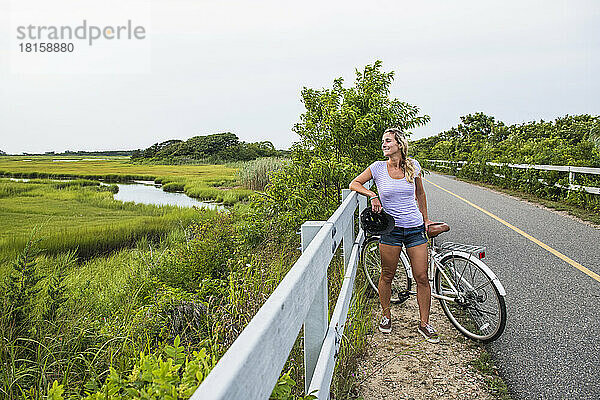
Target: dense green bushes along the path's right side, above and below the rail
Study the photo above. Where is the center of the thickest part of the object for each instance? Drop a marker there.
(480, 139)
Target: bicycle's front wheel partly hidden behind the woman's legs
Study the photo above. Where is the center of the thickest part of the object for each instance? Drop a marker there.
(371, 260)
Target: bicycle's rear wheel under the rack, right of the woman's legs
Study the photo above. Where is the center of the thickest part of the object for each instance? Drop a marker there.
(471, 300)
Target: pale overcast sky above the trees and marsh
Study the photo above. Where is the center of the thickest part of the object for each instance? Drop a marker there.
(214, 66)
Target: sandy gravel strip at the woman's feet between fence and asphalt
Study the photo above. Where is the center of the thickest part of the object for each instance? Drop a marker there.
(402, 365)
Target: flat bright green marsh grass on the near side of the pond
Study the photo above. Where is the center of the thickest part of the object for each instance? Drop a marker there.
(83, 218)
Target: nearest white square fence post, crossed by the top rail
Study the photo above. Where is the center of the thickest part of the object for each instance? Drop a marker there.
(317, 319)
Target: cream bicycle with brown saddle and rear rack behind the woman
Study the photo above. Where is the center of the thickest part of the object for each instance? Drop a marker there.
(469, 292)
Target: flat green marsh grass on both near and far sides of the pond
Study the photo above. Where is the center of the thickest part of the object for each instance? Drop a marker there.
(81, 215)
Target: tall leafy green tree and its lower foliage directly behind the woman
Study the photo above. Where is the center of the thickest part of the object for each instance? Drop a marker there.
(340, 134)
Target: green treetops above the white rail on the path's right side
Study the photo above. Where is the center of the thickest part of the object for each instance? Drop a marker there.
(568, 140)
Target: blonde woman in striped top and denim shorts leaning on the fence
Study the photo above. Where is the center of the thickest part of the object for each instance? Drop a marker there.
(401, 194)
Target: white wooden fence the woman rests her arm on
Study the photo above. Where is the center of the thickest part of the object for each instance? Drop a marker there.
(252, 365)
